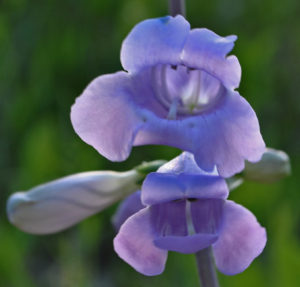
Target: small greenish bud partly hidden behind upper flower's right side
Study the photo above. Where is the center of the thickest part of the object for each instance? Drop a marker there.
(274, 165)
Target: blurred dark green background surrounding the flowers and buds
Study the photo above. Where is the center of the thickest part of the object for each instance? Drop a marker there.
(50, 50)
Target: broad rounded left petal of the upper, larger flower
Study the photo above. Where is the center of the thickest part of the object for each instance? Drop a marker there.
(104, 117)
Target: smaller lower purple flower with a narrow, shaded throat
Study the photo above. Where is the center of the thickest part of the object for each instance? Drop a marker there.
(186, 211)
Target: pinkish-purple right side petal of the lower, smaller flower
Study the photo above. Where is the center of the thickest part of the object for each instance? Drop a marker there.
(241, 240)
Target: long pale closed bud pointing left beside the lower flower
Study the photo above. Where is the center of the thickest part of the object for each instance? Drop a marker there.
(59, 204)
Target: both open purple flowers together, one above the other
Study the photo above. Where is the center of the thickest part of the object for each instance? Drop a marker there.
(178, 90)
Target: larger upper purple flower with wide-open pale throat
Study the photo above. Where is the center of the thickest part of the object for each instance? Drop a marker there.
(178, 91)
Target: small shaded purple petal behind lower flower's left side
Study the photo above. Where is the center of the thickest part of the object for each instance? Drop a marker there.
(128, 207)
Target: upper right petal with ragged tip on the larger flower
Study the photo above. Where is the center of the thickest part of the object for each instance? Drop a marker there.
(207, 51)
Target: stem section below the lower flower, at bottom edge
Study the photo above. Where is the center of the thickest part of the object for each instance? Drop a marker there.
(206, 269)
